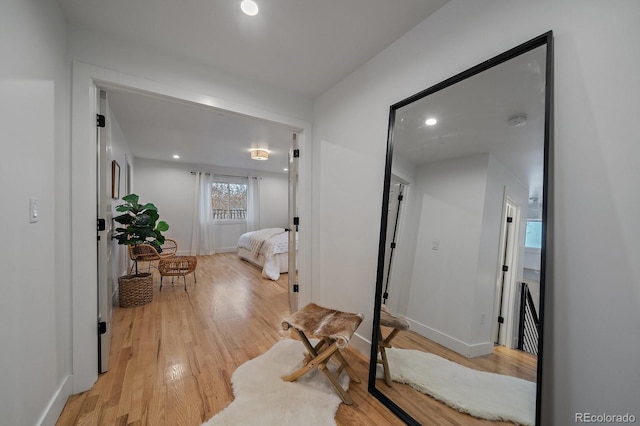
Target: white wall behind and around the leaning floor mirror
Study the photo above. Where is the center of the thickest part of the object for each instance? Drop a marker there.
(593, 291)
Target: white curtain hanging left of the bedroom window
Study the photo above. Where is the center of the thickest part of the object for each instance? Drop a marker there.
(202, 230)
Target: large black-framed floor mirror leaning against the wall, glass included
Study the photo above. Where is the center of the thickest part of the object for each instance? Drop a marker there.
(457, 332)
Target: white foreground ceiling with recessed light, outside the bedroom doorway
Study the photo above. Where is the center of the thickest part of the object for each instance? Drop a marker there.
(302, 46)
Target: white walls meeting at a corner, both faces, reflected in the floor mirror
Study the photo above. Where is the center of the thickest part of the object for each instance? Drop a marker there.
(457, 203)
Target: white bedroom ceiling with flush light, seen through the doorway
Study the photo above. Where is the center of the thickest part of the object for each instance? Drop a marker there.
(157, 128)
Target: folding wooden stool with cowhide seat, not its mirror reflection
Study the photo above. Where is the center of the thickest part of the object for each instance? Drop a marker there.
(334, 329)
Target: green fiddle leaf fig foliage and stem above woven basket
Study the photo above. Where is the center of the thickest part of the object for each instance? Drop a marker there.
(140, 224)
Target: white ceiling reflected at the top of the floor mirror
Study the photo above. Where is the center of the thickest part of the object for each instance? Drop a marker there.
(473, 118)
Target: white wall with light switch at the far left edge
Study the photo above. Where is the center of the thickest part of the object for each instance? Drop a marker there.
(35, 319)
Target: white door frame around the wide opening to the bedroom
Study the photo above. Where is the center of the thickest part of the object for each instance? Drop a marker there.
(85, 81)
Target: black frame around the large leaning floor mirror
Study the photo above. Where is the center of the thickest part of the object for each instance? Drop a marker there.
(544, 39)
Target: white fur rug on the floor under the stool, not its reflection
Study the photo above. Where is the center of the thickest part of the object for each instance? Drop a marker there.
(263, 398)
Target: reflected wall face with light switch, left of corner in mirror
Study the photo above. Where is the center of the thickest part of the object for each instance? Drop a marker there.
(449, 197)
